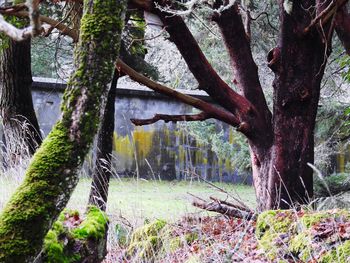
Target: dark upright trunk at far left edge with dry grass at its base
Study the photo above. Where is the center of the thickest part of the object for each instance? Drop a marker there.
(21, 128)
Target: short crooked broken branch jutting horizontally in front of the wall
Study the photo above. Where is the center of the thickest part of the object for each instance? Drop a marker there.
(173, 118)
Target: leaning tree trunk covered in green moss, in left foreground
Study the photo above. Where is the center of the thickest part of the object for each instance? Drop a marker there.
(51, 176)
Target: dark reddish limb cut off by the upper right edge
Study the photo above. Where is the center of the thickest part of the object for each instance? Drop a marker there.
(342, 27)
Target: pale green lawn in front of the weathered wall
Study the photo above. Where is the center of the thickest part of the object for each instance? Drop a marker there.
(137, 200)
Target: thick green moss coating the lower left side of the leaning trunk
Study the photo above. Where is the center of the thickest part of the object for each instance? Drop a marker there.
(36, 197)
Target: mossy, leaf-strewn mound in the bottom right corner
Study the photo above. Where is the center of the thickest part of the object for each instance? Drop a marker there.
(305, 236)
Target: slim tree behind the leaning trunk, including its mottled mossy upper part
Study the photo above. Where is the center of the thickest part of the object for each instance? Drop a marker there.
(133, 51)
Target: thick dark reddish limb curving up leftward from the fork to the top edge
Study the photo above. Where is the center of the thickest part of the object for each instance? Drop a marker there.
(208, 79)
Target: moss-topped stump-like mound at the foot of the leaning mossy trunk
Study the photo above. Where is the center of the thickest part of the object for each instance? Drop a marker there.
(72, 239)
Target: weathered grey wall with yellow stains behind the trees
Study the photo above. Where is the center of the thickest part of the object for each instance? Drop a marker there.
(153, 151)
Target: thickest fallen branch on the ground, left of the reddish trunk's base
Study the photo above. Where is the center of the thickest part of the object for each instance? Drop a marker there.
(224, 209)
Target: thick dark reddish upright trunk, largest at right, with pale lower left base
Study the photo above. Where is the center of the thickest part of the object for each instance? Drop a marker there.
(283, 178)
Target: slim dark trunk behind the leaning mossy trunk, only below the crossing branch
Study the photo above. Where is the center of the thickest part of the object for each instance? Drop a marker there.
(102, 169)
